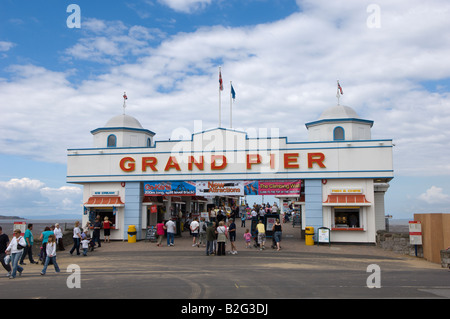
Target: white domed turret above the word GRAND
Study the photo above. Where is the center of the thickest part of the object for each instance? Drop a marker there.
(122, 131)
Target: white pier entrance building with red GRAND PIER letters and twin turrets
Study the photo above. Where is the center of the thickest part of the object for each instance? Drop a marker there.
(344, 173)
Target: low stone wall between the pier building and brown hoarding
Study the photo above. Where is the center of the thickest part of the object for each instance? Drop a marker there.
(398, 243)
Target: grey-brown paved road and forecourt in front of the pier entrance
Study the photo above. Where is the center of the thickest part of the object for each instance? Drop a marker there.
(142, 270)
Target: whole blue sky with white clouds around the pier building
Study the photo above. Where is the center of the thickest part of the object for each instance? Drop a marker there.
(59, 83)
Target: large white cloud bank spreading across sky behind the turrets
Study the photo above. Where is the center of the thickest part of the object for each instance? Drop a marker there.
(284, 71)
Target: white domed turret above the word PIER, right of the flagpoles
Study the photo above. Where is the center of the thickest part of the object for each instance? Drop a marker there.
(339, 123)
